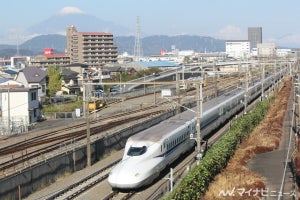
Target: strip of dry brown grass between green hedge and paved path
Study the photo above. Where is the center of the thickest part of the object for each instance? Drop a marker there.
(266, 137)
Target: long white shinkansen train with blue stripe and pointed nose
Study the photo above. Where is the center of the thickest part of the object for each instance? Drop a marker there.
(150, 151)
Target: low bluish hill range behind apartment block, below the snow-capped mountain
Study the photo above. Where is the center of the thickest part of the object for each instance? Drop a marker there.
(150, 45)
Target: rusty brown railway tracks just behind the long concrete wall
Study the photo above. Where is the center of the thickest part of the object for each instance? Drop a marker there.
(17, 156)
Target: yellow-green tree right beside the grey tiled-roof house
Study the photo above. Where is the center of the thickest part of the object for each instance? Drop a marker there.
(54, 80)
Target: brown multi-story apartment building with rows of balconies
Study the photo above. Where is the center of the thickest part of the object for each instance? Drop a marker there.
(91, 48)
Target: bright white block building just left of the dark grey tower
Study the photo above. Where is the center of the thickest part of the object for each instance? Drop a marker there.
(238, 49)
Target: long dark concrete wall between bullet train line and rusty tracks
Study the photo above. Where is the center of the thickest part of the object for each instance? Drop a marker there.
(43, 174)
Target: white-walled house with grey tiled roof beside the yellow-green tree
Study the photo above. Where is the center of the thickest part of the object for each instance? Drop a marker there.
(33, 77)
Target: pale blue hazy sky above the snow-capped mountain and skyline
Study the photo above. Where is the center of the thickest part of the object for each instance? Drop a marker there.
(223, 19)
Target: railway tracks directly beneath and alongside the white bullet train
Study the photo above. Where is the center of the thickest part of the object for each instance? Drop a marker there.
(155, 191)
